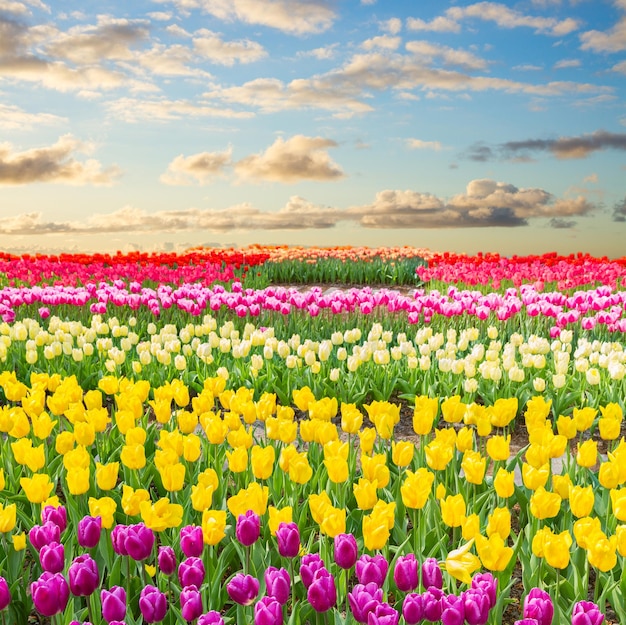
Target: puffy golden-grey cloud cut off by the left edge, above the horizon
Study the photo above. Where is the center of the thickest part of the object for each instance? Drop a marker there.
(53, 164)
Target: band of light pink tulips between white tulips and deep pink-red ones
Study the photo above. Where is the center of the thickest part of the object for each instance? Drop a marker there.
(600, 305)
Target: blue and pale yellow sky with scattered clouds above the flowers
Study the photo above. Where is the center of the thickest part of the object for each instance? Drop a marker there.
(456, 126)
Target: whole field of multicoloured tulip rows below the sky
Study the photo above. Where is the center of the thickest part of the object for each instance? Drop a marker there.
(334, 436)
